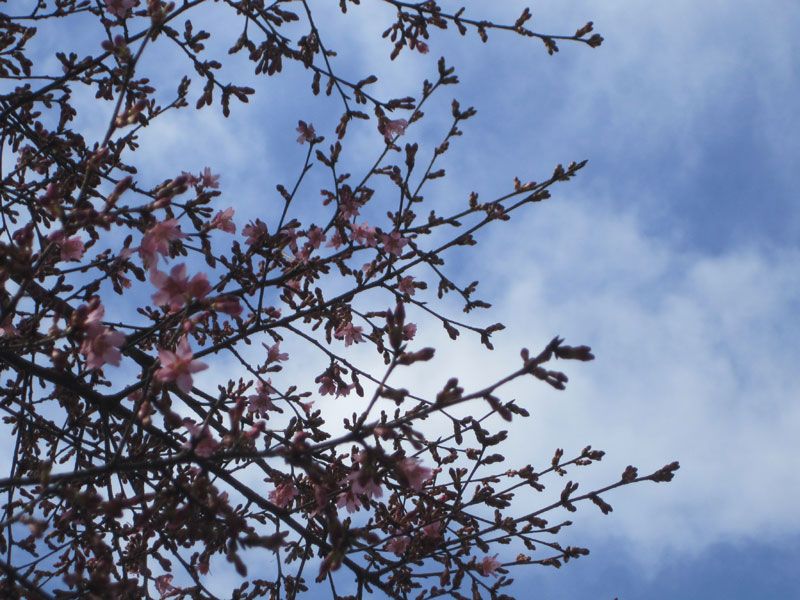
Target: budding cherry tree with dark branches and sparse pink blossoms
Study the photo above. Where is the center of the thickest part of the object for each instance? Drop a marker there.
(151, 449)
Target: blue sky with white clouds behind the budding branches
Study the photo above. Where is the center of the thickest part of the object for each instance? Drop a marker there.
(674, 255)
